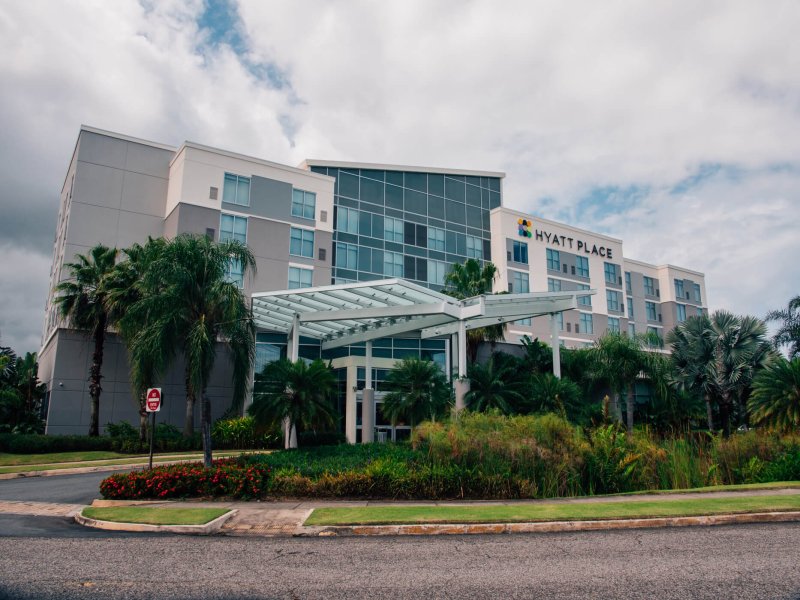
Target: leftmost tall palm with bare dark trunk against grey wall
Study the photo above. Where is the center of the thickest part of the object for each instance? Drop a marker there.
(83, 303)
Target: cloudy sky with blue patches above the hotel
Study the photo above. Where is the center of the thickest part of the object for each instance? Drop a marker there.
(674, 125)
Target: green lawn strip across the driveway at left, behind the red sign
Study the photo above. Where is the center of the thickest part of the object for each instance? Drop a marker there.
(19, 463)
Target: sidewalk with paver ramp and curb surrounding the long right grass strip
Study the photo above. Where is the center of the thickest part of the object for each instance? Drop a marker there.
(286, 518)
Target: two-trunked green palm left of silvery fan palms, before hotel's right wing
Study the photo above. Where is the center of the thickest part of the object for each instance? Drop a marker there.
(620, 359)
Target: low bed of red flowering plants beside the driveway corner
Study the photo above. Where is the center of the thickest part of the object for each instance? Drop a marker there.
(226, 478)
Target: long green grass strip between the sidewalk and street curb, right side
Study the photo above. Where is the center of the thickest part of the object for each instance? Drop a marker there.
(525, 513)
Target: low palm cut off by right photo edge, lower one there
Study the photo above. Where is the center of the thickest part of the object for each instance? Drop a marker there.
(775, 399)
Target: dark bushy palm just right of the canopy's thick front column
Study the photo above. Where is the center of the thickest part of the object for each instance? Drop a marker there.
(496, 385)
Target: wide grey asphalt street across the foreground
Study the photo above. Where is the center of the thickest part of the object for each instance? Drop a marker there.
(742, 562)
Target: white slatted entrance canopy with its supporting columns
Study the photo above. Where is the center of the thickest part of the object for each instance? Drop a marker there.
(353, 313)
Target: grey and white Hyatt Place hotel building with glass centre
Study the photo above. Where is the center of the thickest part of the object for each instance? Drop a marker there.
(321, 223)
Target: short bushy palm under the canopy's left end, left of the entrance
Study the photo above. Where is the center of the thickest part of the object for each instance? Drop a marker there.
(295, 391)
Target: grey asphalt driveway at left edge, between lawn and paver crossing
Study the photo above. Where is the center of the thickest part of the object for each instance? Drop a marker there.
(66, 489)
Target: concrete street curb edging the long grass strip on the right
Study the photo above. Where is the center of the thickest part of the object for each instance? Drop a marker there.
(546, 527)
